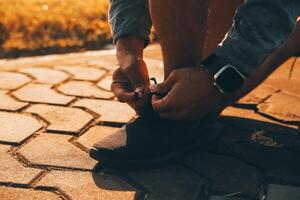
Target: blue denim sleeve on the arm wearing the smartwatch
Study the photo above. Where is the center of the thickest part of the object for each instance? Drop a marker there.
(260, 27)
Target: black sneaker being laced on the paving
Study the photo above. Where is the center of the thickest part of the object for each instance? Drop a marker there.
(150, 141)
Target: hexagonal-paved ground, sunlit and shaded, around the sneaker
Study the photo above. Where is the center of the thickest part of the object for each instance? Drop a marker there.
(54, 107)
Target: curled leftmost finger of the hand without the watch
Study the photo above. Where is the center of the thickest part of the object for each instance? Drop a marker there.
(122, 93)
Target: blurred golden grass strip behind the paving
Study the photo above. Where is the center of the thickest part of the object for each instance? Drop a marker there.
(30, 27)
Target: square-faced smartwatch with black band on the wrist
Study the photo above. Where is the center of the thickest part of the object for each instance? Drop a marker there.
(227, 78)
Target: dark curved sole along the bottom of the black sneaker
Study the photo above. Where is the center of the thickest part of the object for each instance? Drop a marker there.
(202, 144)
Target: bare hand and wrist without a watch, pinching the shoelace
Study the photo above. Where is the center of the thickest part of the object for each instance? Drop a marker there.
(131, 77)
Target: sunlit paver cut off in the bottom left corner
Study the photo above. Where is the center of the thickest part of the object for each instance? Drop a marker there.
(12, 193)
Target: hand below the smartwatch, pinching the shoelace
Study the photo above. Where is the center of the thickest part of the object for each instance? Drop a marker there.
(190, 95)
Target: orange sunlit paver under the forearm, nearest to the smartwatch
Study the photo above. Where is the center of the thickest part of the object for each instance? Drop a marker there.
(258, 95)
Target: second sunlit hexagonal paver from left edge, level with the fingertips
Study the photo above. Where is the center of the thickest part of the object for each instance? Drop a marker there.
(40, 93)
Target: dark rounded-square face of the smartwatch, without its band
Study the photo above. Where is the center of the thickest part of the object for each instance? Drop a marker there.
(229, 80)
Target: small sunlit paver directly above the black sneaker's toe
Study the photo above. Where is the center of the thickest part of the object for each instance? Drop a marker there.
(95, 134)
